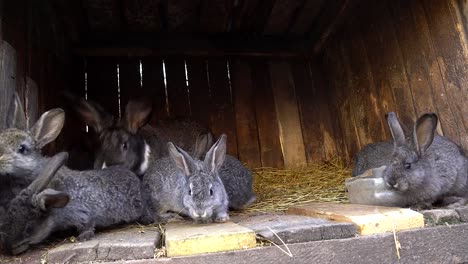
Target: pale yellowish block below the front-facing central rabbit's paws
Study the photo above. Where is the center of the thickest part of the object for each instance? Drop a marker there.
(189, 238)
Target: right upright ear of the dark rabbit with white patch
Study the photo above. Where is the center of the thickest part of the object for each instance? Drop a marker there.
(136, 114)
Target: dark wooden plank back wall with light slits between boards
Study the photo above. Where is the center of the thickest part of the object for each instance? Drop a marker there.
(274, 112)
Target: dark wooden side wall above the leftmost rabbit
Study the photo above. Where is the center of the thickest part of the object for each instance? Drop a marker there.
(34, 62)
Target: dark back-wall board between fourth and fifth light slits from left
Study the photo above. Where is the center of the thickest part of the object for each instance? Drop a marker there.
(177, 90)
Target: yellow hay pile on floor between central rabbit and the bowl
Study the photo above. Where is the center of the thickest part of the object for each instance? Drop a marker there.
(277, 189)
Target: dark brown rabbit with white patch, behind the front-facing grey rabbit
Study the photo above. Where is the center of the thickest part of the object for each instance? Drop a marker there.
(129, 141)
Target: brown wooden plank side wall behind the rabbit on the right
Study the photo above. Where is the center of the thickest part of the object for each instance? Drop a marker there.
(409, 57)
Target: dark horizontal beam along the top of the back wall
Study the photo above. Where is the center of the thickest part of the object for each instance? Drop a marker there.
(196, 46)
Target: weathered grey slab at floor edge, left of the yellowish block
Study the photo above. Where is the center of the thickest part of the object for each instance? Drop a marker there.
(134, 243)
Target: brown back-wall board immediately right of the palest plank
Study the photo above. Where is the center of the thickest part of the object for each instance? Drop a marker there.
(310, 111)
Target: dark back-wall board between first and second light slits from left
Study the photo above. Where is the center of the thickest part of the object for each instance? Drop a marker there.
(102, 83)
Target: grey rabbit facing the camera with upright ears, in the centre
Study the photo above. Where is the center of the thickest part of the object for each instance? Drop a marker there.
(187, 186)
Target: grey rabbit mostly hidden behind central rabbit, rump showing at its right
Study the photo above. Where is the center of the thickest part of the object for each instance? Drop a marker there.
(236, 178)
